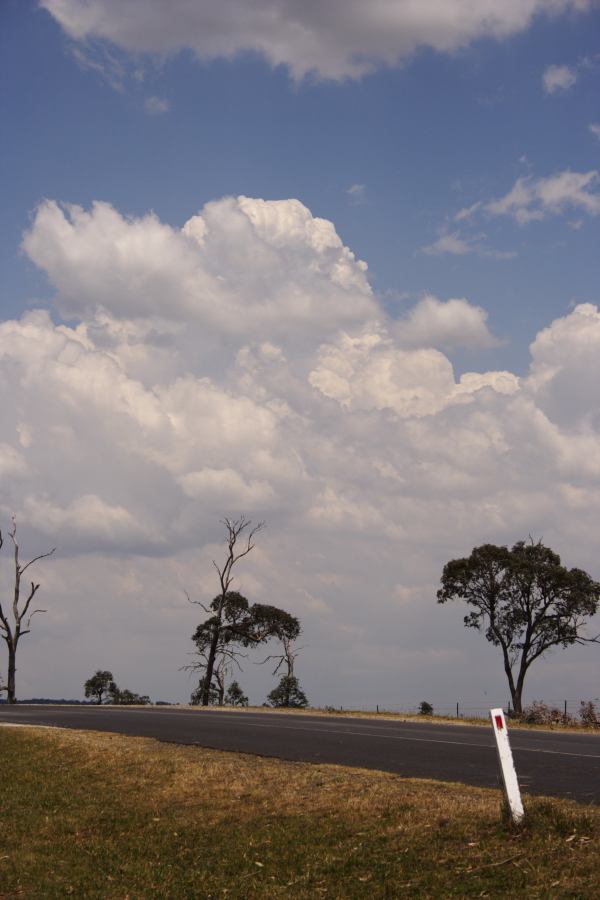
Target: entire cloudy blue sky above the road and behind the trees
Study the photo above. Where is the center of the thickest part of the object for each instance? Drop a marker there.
(333, 266)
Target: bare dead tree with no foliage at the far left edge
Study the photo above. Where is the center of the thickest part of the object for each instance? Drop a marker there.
(17, 623)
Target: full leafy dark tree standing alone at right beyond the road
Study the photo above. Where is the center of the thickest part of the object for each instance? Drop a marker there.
(524, 600)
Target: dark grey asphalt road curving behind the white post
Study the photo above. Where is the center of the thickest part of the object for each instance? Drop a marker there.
(565, 765)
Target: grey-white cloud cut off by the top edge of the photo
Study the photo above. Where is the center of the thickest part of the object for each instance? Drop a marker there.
(333, 39)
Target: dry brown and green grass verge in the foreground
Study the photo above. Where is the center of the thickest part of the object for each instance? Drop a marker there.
(96, 815)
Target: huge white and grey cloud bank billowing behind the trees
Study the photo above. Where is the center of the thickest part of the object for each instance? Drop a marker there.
(241, 363)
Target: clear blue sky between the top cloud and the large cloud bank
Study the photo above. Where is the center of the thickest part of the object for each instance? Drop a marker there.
(426, 138)
